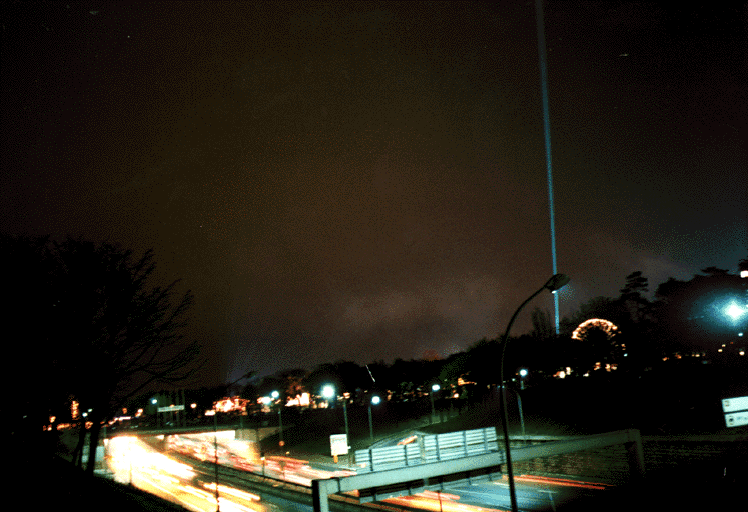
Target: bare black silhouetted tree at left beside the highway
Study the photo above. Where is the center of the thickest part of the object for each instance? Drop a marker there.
(107, 332)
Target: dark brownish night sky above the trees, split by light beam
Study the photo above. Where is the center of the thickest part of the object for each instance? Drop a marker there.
(367, 181)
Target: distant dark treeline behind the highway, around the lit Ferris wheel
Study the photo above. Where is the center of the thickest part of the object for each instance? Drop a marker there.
(631, 333)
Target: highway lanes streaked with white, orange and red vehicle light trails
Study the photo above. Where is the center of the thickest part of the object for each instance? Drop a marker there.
(186, 477)
